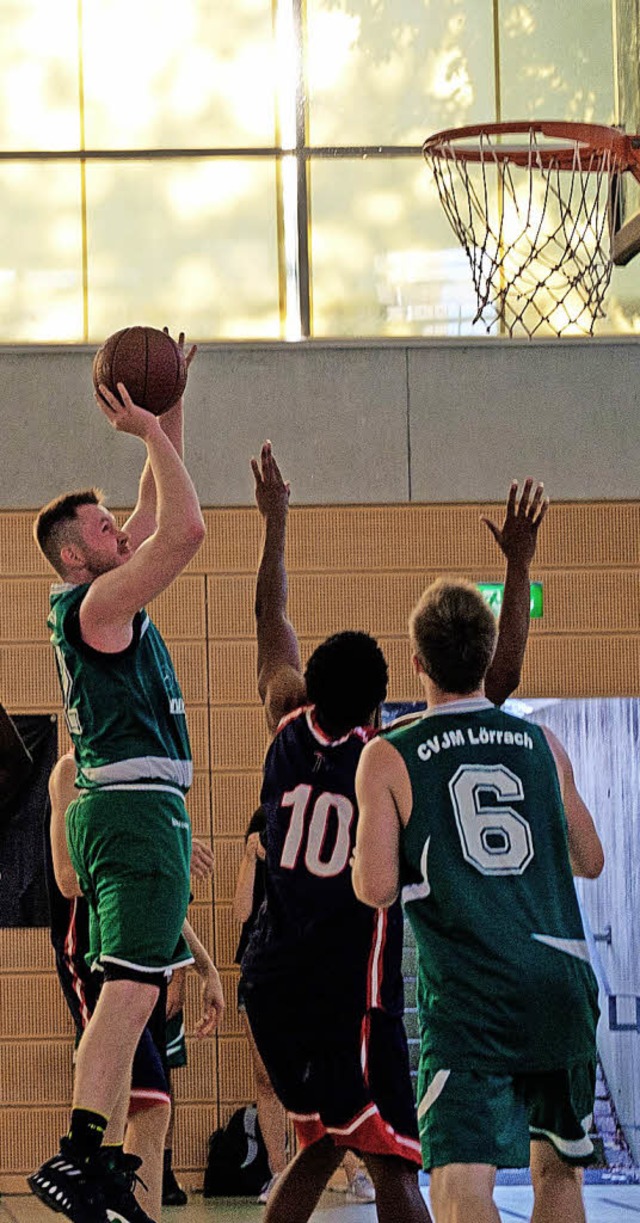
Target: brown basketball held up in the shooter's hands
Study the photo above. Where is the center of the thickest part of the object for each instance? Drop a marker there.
(149, 363)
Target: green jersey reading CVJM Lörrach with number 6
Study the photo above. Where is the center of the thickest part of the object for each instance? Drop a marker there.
(505, 981)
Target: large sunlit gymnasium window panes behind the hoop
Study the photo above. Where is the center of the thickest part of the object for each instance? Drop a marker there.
(253, 171)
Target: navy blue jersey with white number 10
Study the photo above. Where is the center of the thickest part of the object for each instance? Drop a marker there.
(311, 926)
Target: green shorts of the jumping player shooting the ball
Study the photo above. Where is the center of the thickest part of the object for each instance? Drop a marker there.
(132, 852)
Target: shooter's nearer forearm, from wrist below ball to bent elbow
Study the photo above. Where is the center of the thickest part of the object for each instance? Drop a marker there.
(178, 508)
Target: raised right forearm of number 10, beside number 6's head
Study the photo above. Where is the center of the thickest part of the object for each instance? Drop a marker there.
(505, 673)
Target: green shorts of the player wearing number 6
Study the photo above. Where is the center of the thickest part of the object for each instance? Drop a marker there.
(480, 1118)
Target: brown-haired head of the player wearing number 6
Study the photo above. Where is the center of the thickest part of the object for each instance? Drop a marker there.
(453, 635)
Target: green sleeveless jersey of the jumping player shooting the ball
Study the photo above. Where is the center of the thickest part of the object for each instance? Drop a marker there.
(125, 712)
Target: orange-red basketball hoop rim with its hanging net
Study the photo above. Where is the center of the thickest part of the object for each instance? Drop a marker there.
(535, 207)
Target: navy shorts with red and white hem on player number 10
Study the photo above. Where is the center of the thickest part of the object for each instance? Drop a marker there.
(337, 1072)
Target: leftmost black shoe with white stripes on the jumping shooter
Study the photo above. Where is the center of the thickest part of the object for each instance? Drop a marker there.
(72, 1188)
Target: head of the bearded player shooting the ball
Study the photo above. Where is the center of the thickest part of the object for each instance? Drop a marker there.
(80, 536)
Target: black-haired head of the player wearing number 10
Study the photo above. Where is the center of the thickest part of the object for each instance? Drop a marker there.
(347, 682)
